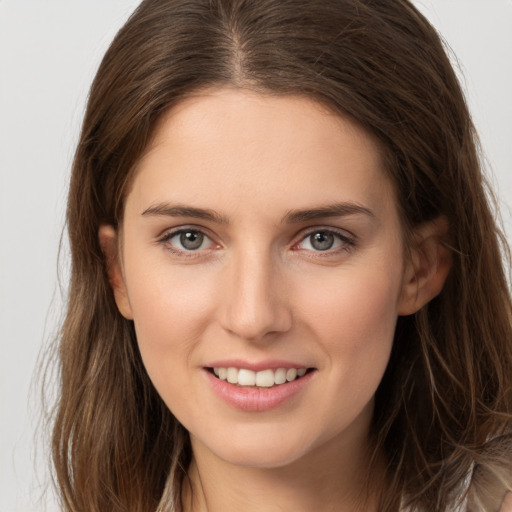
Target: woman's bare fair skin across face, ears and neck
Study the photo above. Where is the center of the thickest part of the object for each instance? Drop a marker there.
(258, 289)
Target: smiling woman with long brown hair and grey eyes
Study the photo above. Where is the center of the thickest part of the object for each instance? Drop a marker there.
(287, 290)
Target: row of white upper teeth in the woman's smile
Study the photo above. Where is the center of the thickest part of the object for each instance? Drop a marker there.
(262, 379)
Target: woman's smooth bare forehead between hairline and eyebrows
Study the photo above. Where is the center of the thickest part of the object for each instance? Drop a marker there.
(239, 149)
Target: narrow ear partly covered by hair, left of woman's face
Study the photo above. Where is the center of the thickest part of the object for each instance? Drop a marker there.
(109, 243)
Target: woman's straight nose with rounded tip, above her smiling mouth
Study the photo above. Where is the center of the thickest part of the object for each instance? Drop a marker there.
(255, 303)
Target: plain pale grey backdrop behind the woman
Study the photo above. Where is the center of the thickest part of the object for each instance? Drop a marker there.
(49, 51)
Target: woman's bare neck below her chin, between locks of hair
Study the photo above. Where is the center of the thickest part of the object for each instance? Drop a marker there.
(324, 480)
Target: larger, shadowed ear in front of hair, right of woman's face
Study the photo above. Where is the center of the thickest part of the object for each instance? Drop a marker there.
(427, 268)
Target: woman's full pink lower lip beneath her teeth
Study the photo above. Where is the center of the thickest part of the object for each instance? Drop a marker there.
(251, 399)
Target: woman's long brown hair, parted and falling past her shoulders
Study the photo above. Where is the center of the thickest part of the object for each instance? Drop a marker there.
(448, 386)
